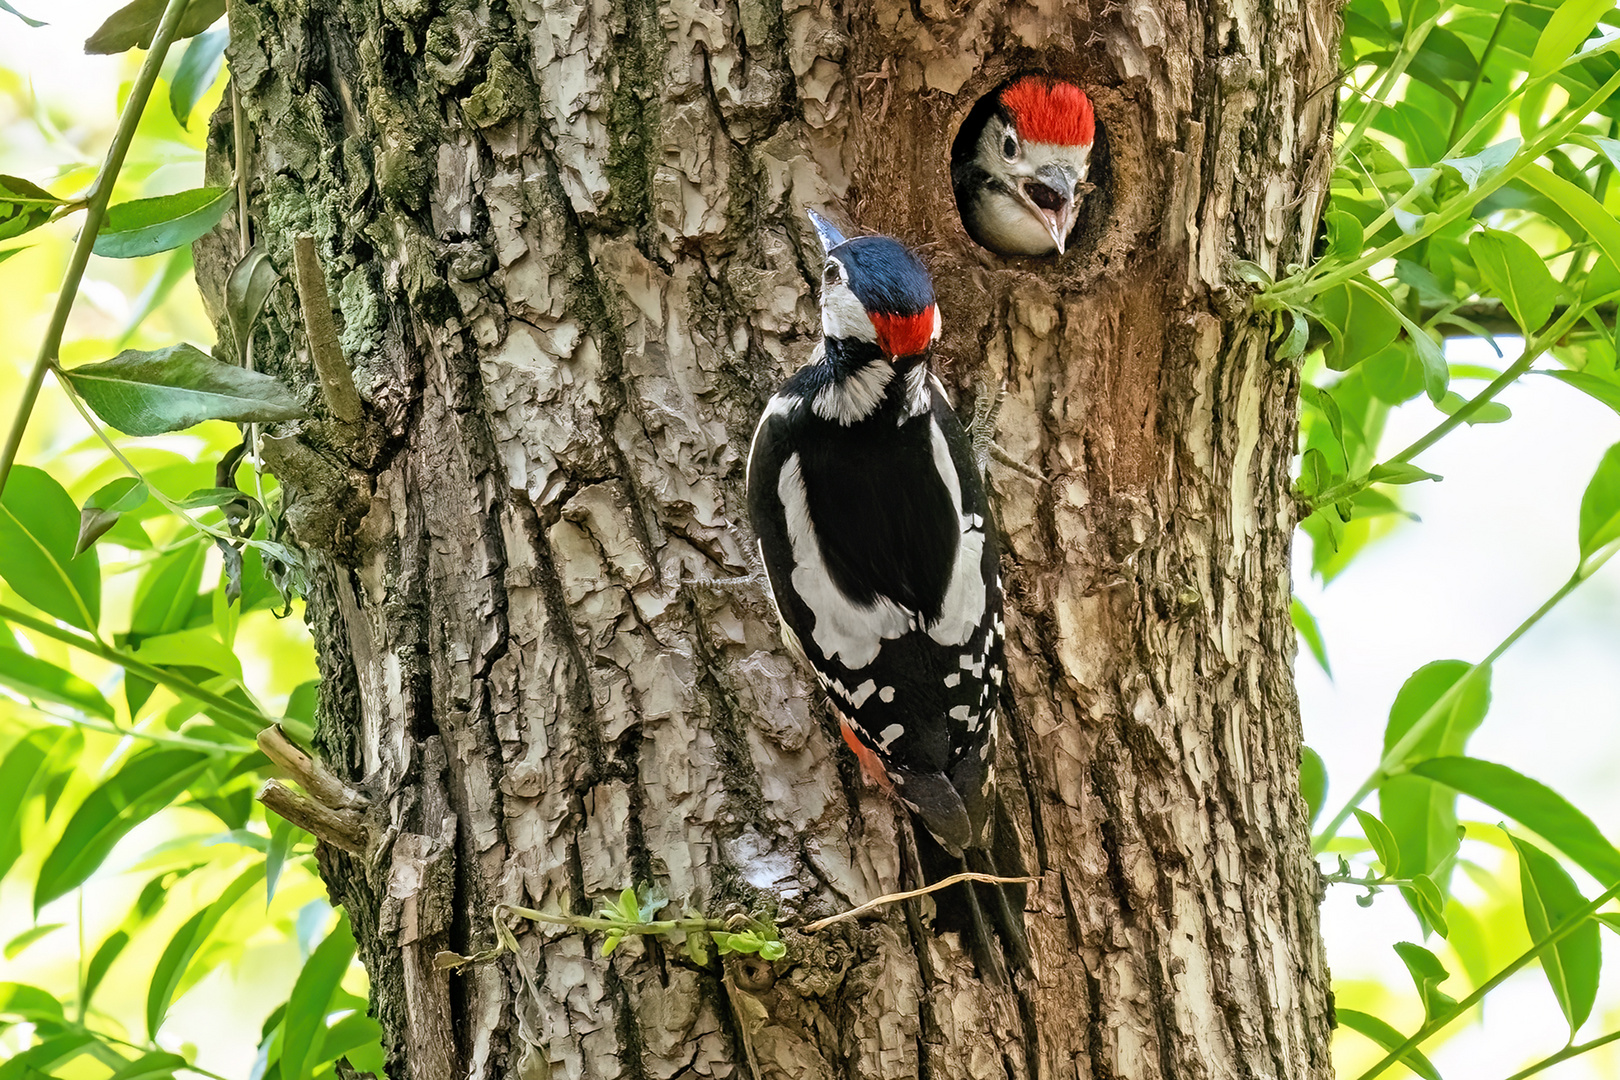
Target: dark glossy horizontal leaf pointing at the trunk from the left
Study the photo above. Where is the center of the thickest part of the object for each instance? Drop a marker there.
(148, 394)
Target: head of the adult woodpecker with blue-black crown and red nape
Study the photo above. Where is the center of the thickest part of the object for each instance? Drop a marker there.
(876, 291)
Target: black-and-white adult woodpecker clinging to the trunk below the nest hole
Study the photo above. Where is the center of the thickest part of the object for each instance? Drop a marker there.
(879, 545)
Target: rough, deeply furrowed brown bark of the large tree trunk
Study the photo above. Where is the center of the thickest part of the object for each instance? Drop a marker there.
(569, 257)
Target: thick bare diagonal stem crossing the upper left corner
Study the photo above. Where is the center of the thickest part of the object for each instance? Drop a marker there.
(95, 216)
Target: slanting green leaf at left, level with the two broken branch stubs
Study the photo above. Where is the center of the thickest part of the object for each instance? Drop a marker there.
(147, 783)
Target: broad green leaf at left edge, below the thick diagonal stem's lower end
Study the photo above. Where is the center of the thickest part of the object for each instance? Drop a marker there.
(38, 535)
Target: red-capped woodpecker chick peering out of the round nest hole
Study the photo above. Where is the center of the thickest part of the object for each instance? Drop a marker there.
(1020, 166)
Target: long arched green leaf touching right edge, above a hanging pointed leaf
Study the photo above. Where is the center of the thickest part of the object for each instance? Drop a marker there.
(1533, 806)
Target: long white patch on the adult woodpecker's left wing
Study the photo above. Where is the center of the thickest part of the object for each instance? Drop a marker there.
(843, 629)
